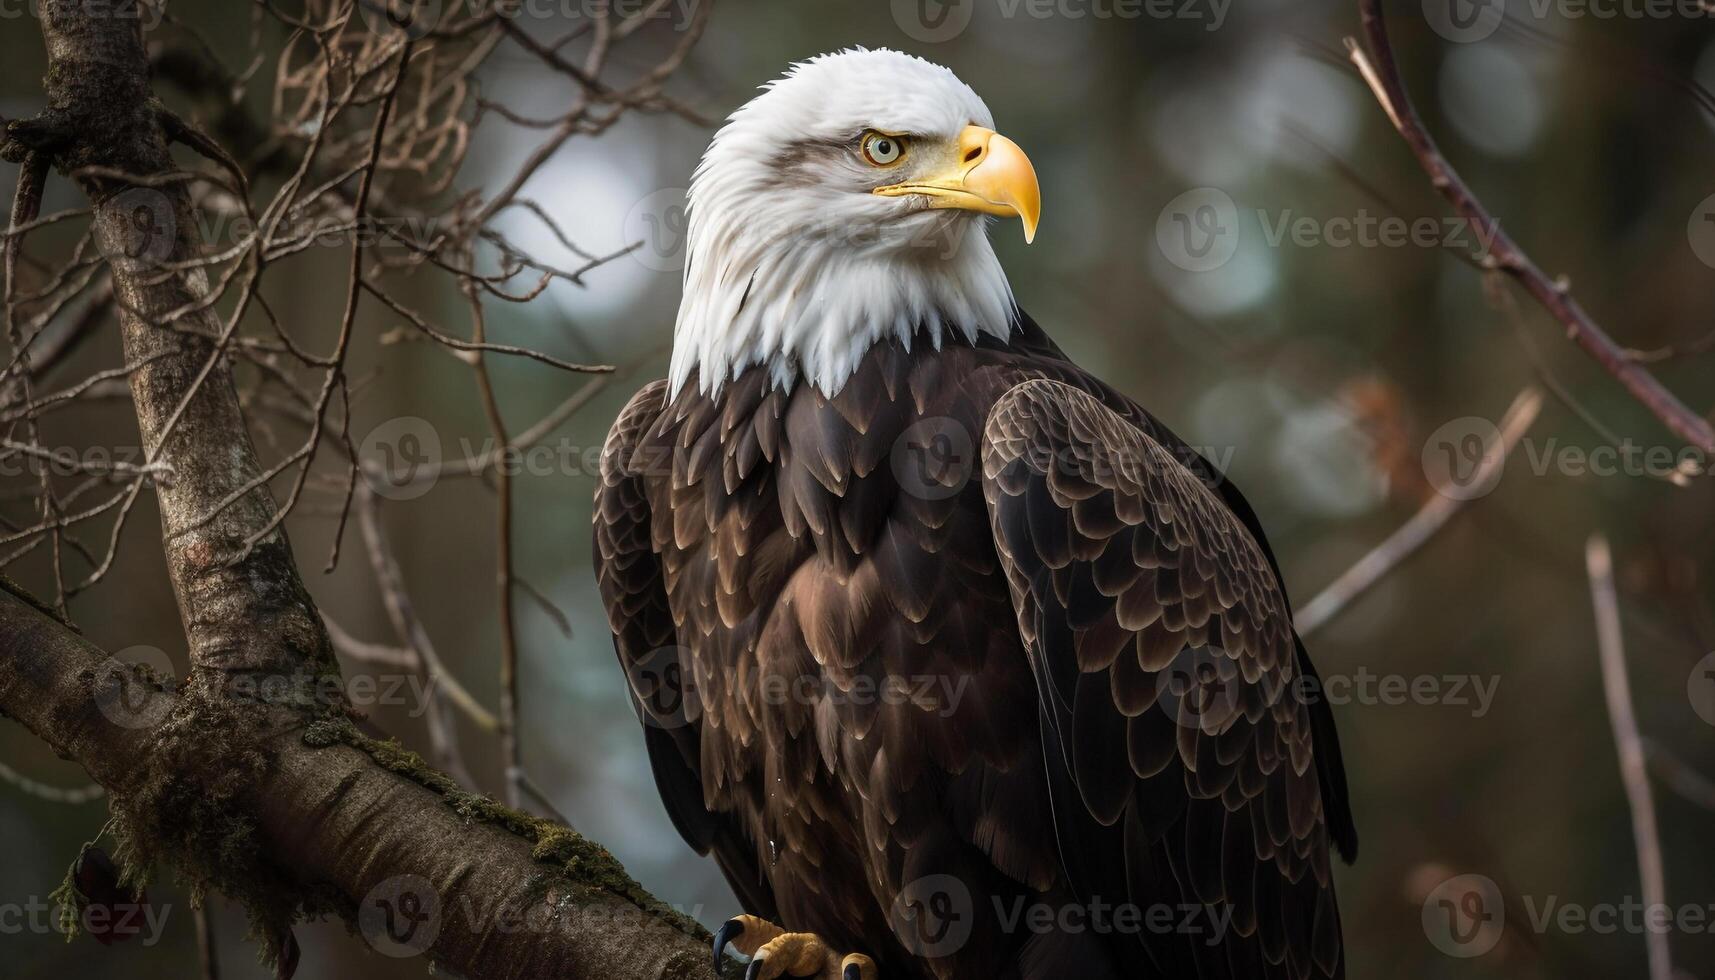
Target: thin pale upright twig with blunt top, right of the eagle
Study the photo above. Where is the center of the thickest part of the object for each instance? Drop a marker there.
(1634, 770)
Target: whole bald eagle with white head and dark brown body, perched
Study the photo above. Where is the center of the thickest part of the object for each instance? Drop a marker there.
(956, 660)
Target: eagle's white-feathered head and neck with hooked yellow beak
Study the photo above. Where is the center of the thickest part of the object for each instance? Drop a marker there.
(843, 207)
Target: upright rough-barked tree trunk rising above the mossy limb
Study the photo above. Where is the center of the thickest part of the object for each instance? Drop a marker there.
(251, 615)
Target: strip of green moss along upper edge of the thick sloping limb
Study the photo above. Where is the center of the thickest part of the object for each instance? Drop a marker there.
(581, 862)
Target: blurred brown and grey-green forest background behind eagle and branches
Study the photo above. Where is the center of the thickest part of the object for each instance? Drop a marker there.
(1316, 372)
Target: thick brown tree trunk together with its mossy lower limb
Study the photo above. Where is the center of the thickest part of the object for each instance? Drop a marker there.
(280, 806)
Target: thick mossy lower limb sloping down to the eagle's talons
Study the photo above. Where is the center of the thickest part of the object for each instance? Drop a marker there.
(315, 820)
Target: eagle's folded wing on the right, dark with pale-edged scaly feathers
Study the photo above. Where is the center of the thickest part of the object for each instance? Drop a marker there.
(1167, 677)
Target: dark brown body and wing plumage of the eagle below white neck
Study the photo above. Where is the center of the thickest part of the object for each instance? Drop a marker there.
(1090, 655)
